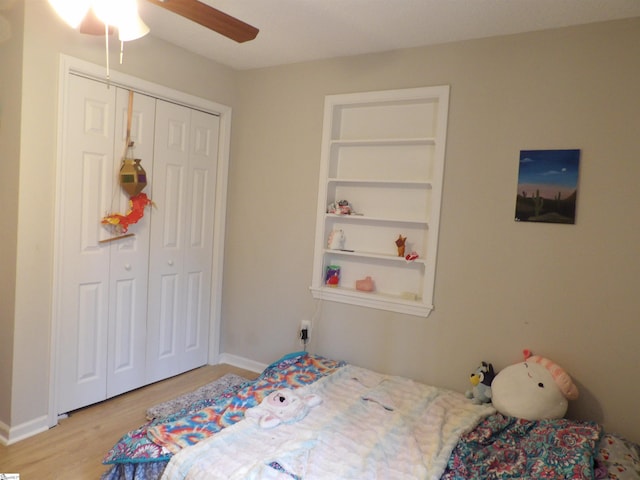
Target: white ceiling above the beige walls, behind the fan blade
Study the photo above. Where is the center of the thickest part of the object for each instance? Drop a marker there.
(300, 30)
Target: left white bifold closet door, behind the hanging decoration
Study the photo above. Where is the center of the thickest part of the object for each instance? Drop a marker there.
(103, 286)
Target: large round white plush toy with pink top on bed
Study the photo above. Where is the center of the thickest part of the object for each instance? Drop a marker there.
(535, 389)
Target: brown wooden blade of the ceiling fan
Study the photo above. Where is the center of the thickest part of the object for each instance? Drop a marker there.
(211, 18)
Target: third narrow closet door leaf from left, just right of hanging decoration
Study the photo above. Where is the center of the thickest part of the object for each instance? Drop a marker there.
(166, 278)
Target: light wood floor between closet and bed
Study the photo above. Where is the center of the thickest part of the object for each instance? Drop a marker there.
(74, 449)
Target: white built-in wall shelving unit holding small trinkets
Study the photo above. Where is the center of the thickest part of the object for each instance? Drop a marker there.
(382, 152)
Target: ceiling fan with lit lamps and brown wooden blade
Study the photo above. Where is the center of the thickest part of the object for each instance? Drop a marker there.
(92, 21)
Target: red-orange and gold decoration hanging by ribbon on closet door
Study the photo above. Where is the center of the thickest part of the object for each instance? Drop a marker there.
(132, 179)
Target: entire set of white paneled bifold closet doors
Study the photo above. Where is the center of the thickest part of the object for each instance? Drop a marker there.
(137, 309)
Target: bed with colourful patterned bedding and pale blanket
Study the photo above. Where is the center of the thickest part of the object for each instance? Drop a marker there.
(367, 425)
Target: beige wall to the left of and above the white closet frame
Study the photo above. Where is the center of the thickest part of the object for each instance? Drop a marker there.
(45, 38)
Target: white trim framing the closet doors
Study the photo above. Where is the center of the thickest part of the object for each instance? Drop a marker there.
(71, 65)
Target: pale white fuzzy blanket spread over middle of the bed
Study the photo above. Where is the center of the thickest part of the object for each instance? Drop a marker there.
(368, 426)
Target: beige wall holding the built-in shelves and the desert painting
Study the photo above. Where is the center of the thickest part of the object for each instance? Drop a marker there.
(566, 292)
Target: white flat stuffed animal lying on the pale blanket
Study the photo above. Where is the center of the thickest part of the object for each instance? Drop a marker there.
(282, 406)
